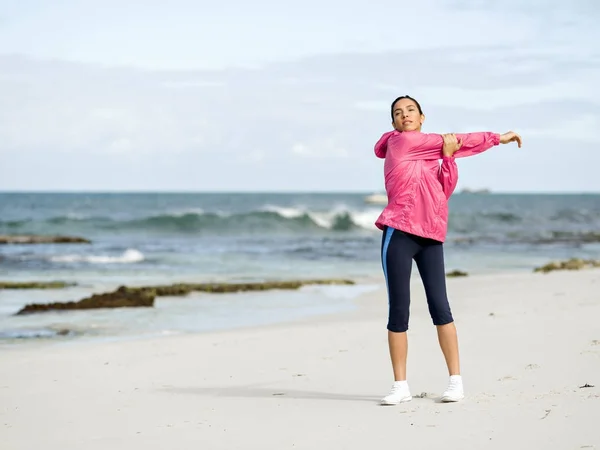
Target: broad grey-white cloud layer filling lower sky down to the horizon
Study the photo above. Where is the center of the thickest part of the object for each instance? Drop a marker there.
(301, 124)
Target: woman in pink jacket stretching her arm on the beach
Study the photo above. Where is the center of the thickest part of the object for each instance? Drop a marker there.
(414, 225)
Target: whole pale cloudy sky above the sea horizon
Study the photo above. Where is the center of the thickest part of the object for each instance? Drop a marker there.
(263, 96)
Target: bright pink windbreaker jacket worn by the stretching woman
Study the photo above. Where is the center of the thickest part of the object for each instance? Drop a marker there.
(418, 188)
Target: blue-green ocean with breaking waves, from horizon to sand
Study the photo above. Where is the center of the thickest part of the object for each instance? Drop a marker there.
(157, 238)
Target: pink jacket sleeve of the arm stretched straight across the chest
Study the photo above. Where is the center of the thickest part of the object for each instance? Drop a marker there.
(428, 146)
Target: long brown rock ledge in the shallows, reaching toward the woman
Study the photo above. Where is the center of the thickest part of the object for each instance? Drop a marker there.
(144, 296)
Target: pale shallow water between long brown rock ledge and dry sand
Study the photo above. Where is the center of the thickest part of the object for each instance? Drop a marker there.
(287, 306)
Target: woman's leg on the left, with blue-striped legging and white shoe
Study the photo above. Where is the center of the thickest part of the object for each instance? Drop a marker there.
(397, 254)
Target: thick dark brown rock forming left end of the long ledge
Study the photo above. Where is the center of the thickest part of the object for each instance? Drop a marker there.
(121, 298)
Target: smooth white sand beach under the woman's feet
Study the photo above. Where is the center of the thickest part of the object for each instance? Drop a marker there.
(316, 384)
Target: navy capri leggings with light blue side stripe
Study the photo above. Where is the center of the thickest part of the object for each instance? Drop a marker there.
(398, 249)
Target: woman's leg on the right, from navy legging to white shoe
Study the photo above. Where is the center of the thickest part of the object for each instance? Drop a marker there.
(430, 262)
